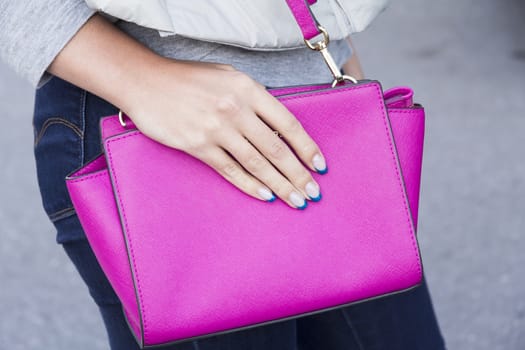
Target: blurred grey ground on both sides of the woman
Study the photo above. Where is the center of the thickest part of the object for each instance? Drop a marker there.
(466, 63)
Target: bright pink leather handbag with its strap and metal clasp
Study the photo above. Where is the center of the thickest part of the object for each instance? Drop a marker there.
(191, 256)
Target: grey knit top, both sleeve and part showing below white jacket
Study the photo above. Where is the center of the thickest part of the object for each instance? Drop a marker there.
(33, 32)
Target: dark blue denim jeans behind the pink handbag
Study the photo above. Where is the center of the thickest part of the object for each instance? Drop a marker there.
(67, 136)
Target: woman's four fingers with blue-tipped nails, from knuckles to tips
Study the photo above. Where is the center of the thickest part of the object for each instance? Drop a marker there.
(264, 160)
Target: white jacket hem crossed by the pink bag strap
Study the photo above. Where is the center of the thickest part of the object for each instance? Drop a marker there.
(254, 24)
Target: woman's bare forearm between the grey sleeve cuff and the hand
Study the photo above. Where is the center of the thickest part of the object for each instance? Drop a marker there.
(104, 60)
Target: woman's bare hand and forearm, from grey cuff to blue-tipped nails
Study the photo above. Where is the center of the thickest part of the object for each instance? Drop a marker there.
(211, 111)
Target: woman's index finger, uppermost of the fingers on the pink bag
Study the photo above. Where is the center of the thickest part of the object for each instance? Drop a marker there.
(278, 117)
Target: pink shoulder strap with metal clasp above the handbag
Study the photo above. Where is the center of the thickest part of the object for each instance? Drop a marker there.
(311, 28)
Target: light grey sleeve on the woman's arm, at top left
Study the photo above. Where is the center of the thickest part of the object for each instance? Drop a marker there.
(32, 33)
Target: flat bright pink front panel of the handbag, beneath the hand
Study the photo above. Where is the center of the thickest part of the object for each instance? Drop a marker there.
(235, 261)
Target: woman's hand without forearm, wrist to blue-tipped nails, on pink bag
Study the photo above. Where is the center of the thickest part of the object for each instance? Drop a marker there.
(224, 118)
